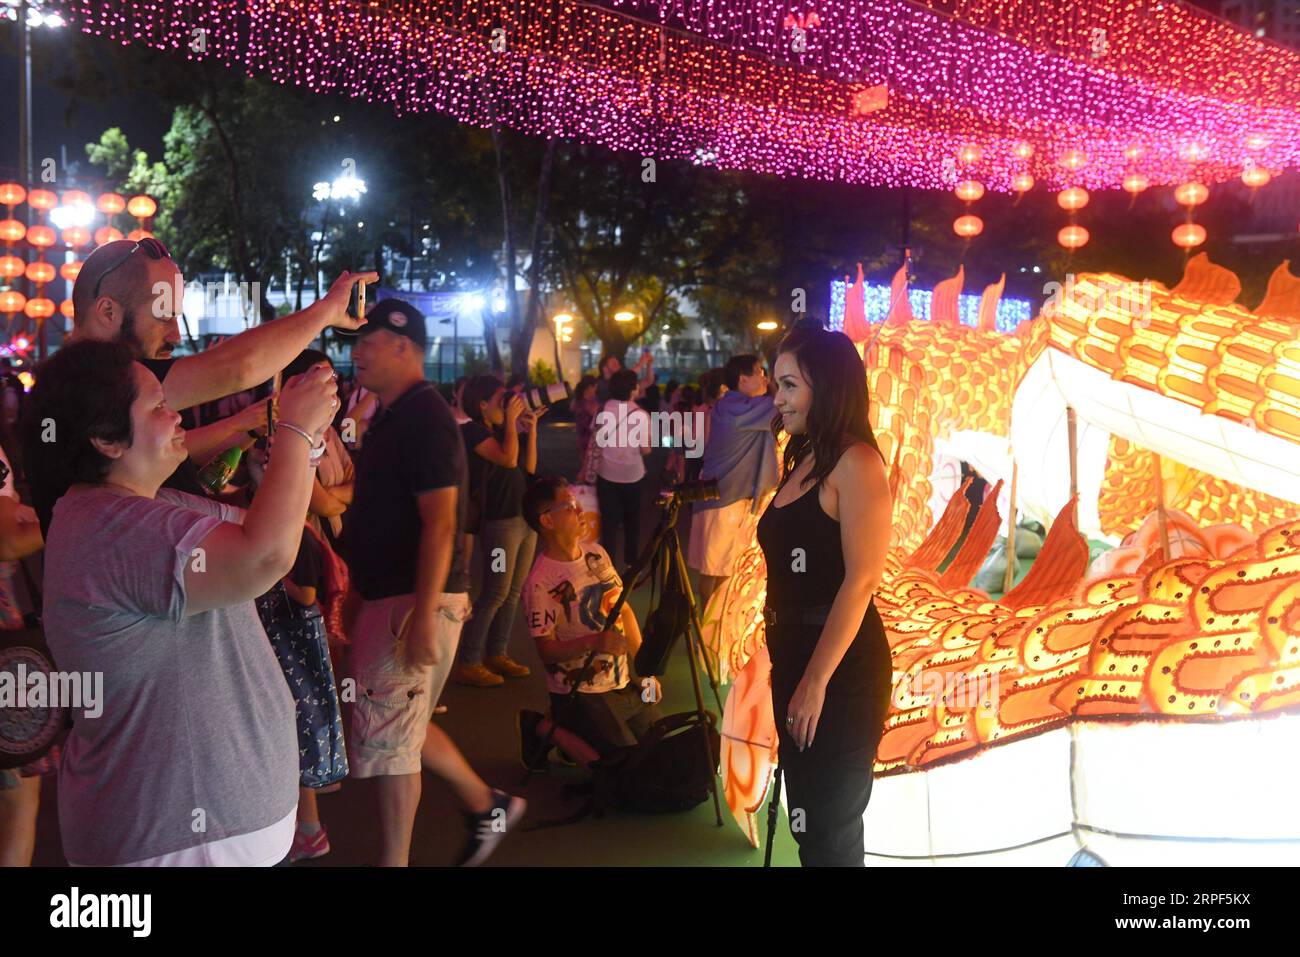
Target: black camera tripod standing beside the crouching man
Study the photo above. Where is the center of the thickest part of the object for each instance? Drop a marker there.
(662, 557)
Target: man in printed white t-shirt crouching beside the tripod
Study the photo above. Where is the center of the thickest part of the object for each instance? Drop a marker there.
(567, 597)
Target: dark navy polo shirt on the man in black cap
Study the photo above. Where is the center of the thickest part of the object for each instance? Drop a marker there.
(410, 448)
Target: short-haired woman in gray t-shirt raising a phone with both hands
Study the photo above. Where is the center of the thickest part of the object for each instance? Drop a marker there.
(185, 748)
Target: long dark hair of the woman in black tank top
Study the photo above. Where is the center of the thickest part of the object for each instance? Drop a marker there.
(839, 414)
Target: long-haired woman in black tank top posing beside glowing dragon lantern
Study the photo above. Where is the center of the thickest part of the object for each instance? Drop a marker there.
(825, 539)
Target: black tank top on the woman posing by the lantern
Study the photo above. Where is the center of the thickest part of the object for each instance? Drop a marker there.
(801, 547)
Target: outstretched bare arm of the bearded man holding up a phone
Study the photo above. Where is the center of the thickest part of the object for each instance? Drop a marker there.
(253, 357)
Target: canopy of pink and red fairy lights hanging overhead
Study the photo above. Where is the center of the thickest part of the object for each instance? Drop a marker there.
(965, 96)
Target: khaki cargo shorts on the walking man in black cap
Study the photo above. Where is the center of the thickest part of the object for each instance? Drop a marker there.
(395, 703)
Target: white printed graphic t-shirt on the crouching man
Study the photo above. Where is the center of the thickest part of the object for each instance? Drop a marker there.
(573, 599)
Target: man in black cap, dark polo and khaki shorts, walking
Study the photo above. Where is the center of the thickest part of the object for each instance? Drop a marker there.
(404, 543)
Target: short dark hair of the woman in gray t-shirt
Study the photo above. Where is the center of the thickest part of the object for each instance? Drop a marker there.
(84, 392)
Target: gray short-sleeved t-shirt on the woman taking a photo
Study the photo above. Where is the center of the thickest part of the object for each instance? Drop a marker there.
(197, 742)
